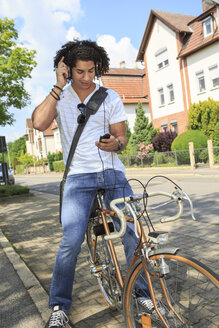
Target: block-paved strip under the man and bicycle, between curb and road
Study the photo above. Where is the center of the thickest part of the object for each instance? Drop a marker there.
(32, 225)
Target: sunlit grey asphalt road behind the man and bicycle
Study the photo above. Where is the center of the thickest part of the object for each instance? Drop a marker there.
(202, 188)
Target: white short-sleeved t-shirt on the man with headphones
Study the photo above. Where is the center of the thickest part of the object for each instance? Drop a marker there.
(87, 157)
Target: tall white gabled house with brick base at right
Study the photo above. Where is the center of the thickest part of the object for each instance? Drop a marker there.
(181, 63)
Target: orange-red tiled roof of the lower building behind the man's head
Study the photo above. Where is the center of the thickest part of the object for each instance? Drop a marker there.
(128, 83)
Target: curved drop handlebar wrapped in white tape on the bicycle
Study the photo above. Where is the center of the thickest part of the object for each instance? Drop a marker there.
(174, 196)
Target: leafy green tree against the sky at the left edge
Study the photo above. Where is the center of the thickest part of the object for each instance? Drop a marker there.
(16, 64)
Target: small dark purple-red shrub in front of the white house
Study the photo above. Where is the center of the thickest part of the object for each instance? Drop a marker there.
(162, 142)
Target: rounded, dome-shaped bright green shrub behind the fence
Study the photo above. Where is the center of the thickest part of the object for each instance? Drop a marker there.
(181, 142)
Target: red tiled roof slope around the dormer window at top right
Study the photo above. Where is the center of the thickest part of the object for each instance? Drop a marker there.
(197, 40)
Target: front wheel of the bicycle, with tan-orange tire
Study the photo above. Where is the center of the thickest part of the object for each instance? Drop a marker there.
(192, 288)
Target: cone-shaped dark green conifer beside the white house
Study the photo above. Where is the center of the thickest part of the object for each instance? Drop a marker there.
(143, 130)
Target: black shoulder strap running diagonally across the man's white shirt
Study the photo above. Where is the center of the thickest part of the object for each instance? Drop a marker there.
(91, 108)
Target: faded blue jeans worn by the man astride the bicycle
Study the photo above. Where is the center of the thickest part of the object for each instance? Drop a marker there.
(78, 197)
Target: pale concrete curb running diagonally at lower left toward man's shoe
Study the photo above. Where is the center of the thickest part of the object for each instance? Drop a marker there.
(32, 285)
